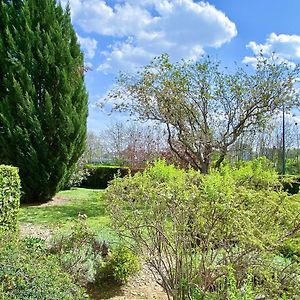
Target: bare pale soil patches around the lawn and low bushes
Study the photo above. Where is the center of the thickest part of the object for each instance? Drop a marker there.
(141, 286)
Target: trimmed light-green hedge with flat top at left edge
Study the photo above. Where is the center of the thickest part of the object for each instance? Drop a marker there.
(9, 197)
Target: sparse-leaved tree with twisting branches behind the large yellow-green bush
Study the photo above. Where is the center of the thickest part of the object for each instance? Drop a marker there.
(205, 109)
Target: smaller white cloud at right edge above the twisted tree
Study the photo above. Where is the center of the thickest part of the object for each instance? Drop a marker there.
(286, 47)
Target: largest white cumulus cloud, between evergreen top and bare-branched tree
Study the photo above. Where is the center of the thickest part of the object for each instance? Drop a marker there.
(141, 30)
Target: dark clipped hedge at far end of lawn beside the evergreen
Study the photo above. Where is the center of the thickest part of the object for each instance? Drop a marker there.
(100, 175)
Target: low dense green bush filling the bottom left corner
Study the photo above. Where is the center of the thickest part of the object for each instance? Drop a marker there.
(28, 272)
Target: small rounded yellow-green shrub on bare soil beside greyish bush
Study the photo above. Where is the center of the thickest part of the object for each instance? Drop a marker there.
(121, 264)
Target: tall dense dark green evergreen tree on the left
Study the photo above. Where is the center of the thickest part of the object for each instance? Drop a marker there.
(43, 99)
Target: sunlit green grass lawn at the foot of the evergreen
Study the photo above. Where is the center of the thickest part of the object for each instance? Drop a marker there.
(84, 201)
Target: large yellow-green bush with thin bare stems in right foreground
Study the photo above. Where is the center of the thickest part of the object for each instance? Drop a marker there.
(196, 230)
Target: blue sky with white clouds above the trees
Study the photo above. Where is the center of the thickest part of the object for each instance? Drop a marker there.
(124, 35)
